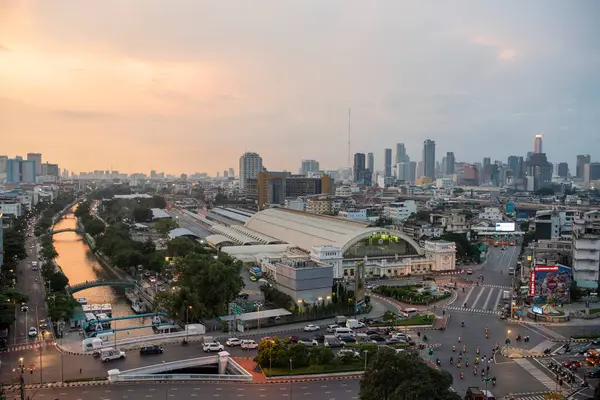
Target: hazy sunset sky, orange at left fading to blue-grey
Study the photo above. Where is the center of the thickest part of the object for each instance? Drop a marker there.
(190, 85)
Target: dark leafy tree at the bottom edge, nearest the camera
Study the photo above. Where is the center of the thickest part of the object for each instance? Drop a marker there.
(404, 376)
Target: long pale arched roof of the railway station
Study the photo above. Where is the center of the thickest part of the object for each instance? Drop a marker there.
(306, 230)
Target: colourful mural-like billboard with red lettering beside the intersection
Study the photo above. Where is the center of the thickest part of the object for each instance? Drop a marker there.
(552, 283)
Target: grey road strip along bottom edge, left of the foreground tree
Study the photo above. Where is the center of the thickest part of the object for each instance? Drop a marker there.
(333, 390)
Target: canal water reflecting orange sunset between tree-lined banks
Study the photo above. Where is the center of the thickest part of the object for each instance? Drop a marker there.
(79, 265)
